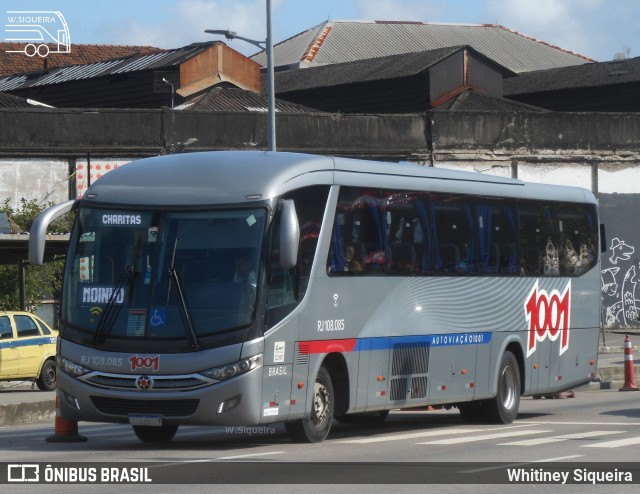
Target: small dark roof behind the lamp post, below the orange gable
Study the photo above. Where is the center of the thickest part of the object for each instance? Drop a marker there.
(237, 100)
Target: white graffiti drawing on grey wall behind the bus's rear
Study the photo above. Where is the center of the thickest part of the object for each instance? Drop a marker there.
(619, 283)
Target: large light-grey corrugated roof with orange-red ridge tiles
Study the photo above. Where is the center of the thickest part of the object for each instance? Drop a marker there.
(347, 41)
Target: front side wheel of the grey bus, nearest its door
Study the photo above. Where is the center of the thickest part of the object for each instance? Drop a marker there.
(315, 428)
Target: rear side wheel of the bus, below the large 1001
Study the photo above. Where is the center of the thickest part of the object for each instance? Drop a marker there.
(503, 409)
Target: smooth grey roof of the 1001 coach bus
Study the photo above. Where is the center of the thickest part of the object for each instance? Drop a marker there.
(228, 177)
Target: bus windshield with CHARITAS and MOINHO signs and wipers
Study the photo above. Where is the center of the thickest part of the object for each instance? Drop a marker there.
(177, 275)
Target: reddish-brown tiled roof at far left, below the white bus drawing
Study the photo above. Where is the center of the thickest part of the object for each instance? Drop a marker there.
(19, 63)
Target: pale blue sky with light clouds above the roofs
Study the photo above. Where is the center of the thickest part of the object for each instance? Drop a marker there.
(598, 29)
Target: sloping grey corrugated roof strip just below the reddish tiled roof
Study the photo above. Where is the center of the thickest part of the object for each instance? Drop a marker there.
(118, 66)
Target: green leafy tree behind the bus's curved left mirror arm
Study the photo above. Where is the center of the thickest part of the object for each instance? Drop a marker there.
(41, 282)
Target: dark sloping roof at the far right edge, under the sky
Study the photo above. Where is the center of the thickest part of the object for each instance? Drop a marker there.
(585, 76)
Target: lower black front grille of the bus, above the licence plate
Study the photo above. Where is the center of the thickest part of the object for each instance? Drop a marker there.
(167, 408)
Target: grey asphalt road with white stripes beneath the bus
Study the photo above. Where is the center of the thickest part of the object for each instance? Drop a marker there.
(601, 427)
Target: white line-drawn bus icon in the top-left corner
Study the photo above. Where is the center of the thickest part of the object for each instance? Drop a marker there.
(41, 31)
